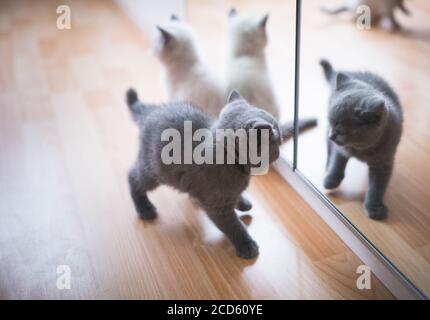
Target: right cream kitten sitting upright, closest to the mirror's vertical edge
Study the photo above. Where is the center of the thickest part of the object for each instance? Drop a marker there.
(246, 65)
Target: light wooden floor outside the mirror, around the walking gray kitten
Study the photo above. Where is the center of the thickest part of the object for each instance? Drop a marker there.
(66, 144)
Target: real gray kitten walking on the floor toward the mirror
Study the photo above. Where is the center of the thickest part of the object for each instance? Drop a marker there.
(216, 187)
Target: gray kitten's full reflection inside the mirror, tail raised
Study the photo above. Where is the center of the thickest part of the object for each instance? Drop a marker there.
(365, 119)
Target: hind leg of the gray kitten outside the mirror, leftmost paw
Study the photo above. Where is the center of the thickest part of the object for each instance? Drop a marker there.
(139, 185)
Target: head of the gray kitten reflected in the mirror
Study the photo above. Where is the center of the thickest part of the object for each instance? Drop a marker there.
(357, 120)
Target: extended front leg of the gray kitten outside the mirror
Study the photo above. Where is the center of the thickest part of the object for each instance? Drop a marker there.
(226, 220)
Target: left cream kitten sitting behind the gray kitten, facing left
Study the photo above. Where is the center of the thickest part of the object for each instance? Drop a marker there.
(186, 76)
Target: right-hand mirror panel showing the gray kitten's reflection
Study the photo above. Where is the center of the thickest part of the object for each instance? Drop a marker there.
(361, 125)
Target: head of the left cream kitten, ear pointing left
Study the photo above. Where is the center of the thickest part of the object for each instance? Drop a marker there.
(174, 42)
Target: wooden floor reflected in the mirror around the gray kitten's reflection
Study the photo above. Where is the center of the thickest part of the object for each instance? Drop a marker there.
(403, 59)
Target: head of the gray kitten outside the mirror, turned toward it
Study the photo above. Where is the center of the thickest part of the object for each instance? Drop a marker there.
(238, 114)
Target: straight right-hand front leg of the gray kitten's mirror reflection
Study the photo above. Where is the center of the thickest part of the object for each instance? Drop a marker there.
(379, 176)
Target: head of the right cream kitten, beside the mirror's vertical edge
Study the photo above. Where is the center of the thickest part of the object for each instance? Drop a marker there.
(247, 33)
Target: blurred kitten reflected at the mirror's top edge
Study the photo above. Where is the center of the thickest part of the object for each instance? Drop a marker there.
(380, 11)
